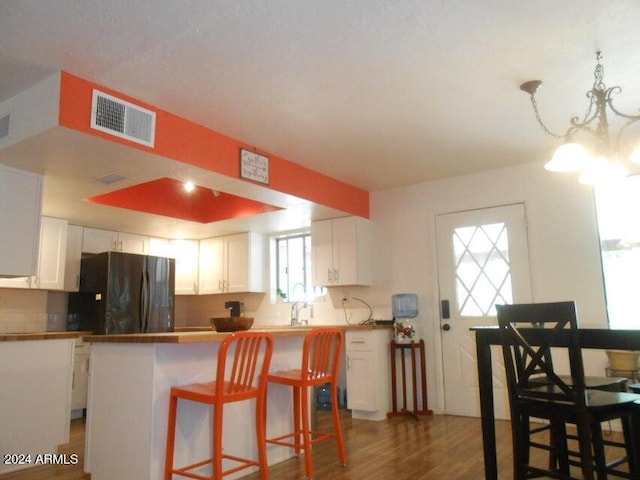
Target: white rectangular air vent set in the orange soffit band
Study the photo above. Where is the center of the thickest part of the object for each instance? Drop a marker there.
(122, 119)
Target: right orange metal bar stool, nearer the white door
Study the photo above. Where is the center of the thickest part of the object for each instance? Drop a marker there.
(321, 356)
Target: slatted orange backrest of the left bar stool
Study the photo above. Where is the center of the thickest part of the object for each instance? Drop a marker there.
(243, 363)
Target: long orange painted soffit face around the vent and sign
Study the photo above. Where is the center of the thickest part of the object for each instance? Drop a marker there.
(188, 142)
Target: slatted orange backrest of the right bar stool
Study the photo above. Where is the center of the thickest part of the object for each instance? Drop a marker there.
(321, 353)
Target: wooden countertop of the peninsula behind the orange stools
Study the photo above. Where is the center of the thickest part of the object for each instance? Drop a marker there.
(205, 334)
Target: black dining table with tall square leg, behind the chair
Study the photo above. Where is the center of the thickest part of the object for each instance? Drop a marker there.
(486, 336)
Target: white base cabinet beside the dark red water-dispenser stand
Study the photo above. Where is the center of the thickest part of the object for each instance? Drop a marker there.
(368, 373)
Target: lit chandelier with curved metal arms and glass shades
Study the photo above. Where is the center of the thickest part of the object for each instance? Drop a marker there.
(587, 145)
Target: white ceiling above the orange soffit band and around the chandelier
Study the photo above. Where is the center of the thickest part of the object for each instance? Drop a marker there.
(376, 93)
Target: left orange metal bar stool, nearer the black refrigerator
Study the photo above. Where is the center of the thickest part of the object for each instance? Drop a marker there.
(242, 357)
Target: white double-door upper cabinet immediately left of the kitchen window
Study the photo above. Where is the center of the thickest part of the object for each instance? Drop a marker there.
(232, 264)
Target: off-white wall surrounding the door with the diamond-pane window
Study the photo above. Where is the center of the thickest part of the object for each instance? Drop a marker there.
(563, 244)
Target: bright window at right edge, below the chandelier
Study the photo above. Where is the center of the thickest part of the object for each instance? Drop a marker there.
(619, 228)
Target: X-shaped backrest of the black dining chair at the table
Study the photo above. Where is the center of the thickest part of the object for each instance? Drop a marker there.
(531, 335)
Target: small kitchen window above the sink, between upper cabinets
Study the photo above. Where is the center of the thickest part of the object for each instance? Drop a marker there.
(293, 273)
